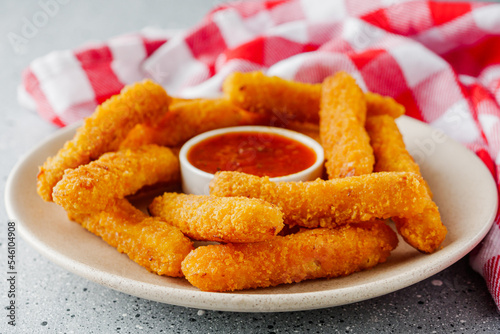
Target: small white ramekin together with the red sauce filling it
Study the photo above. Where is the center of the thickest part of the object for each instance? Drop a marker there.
(280, 154)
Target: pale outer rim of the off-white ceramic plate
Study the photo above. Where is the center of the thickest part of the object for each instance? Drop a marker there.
(233, 301)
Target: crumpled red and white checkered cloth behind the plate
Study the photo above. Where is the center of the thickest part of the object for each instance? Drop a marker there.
(440, 60)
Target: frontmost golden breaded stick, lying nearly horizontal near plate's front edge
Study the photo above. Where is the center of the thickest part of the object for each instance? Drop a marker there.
(317, 253)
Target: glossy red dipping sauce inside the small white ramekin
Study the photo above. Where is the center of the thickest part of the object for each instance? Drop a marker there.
(256, 153)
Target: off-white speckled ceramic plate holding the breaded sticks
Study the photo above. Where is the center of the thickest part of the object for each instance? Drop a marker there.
(462, 186)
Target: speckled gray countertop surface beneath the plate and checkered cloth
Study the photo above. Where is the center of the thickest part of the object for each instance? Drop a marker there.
(52, 300)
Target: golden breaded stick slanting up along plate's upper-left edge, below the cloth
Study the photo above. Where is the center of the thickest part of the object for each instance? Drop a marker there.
(104, 130)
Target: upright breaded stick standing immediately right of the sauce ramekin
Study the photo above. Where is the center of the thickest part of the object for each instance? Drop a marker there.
(342, 128)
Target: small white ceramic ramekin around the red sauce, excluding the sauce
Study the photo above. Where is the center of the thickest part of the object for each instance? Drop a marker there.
(196, 181)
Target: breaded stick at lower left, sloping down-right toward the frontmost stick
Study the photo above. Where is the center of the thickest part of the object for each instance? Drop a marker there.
(150, 242)
